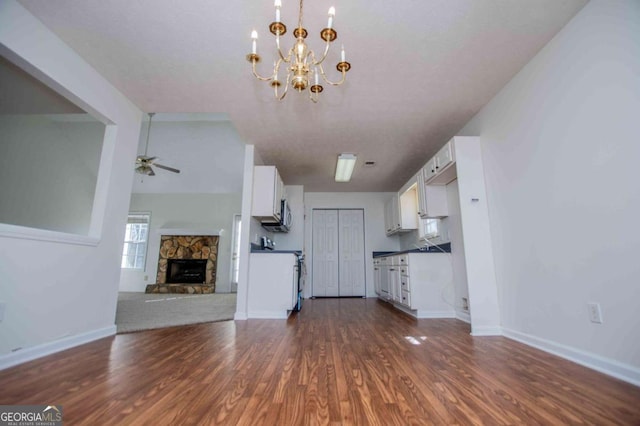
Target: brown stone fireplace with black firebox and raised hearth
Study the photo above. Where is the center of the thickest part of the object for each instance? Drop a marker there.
(186, 264)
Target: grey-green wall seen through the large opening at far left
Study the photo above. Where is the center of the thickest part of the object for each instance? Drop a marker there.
(49, 169)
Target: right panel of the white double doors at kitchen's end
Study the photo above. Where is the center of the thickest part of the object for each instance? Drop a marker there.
(351, 251)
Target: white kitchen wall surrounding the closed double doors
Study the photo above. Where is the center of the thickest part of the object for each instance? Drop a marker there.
(375, 238)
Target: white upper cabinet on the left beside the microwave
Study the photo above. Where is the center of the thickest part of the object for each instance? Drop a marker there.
(268, 192)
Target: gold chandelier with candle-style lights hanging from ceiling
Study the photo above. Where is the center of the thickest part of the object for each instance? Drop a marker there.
(300, 63)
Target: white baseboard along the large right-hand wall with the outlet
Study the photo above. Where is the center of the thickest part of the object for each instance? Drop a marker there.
(613, 368)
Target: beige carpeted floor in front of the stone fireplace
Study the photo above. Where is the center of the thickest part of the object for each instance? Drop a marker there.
(140, 311)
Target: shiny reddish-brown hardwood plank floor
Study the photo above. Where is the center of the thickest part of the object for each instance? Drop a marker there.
(339, 361)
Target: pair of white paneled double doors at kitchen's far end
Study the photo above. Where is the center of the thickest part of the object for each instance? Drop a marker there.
(338, 253)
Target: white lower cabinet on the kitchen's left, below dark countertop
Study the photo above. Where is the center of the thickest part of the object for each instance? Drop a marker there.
(273, 285)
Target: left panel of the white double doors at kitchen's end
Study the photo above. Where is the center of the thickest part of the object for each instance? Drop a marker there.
(325, 253)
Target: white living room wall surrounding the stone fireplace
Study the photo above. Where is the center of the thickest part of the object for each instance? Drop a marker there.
(186, 214)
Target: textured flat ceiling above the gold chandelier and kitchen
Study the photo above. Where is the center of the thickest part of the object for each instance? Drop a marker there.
(420, 70)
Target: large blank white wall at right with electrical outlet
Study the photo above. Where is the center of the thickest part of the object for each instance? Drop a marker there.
(561, 148)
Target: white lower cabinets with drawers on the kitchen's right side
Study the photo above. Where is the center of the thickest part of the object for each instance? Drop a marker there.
(419, 283)
